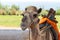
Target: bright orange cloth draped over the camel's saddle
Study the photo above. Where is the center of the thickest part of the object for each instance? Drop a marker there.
(54, 25)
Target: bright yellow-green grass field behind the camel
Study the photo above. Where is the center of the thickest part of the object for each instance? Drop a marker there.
(15, 21)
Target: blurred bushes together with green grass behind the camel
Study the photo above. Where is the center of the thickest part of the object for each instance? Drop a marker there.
(10, 15)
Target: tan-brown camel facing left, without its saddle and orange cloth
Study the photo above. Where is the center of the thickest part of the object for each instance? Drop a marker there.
(30, 20)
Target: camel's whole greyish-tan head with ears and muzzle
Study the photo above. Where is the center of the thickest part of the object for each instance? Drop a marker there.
(30, 15)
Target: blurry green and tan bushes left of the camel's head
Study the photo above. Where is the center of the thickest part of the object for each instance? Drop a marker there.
(7, 10)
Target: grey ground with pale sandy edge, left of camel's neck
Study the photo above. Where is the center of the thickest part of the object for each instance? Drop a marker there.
(10, 33)
